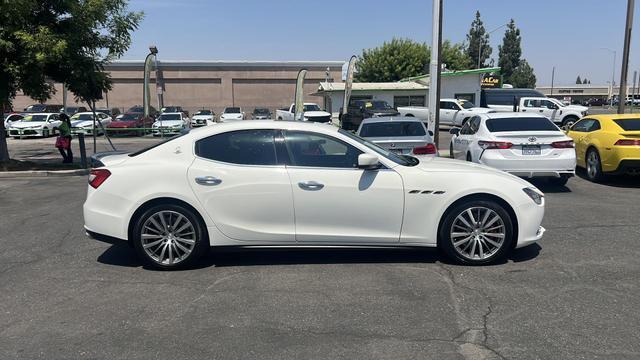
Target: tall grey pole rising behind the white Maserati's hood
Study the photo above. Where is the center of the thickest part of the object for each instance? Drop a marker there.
(434, 71)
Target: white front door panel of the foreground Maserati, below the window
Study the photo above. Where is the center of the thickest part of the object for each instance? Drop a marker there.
(347, 205)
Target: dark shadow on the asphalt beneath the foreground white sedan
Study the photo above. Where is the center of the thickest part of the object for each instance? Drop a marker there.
(121, 254)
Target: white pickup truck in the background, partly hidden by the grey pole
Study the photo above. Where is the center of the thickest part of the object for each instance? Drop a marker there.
(453, 112)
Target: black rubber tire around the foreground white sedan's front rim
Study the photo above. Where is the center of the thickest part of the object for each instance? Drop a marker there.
(445, 237)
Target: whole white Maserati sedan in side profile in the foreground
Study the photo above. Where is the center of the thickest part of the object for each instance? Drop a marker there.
(288, 184)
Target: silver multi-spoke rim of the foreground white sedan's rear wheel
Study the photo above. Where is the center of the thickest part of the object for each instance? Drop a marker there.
(168, 237)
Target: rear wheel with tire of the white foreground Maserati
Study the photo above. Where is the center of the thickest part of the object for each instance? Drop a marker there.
(169, 236)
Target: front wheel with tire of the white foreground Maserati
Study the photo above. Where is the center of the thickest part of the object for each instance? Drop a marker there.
(476, 232)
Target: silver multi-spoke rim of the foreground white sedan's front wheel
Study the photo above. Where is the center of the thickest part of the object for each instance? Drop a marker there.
(477, 233)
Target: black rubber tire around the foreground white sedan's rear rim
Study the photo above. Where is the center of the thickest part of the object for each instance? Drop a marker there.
(200, 237)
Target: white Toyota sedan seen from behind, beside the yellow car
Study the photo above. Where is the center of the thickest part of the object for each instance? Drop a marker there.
(523, 144)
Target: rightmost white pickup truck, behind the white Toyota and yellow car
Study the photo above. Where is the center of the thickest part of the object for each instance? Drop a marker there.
(553, 109)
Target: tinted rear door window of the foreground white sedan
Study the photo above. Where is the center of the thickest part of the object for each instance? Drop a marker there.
(245, 147)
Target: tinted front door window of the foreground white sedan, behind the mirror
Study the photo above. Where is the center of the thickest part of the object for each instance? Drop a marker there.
(318, 150)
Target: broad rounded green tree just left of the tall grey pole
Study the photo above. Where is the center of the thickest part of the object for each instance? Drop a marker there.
(394, 60)
